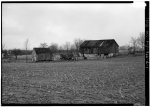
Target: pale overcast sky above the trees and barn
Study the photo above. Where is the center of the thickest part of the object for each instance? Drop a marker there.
(58, 23)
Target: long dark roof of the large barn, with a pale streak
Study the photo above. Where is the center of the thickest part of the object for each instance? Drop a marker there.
(98, 43)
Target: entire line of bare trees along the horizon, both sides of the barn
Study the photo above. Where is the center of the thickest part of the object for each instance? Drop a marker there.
(134, 44)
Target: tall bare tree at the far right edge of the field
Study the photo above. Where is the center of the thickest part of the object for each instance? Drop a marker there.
(141, 40)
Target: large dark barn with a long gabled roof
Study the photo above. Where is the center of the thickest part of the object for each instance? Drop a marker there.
(100, 47)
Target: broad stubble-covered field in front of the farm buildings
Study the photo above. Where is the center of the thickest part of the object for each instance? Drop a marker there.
(114, 80)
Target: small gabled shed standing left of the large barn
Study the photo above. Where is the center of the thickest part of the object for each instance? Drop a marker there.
(41, 54)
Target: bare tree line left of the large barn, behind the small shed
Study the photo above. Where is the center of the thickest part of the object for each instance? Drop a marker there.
(54, 47)
